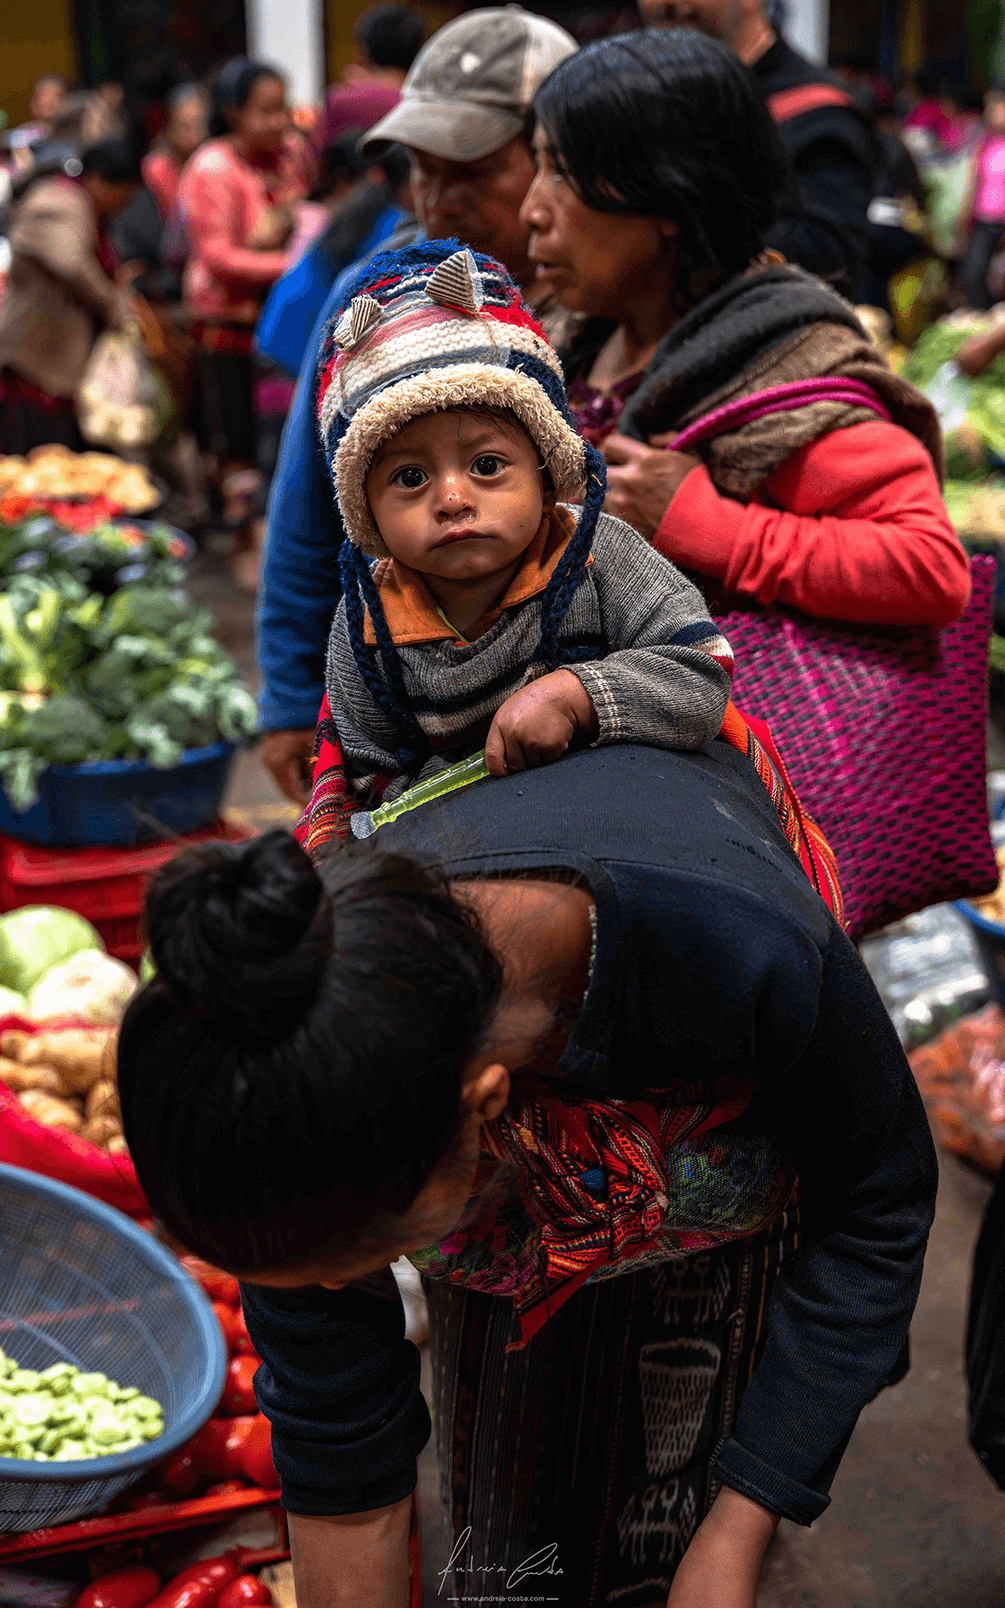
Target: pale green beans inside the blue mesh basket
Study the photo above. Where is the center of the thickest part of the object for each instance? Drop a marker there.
(64, 1416)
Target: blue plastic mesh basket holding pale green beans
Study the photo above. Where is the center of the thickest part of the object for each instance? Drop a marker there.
(83, 1284)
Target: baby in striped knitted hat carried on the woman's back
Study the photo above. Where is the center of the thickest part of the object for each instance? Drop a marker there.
(494, 615)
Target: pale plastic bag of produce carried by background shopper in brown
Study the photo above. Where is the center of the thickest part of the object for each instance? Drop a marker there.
(123, 400)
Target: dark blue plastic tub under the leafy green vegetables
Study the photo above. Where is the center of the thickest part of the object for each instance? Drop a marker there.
(123, 802)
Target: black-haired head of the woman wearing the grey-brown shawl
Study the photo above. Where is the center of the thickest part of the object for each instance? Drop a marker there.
(667, 136)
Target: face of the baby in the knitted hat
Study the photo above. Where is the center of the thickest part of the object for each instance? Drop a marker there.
(457, 494)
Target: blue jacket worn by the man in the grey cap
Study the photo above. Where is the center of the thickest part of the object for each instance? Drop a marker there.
(301, 588)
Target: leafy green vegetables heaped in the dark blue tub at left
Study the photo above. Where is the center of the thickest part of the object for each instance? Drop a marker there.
(131, 676)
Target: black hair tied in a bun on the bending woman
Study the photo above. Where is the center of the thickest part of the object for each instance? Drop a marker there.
(292, 1077)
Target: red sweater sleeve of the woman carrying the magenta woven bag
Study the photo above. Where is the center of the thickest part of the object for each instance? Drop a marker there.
(851, 527)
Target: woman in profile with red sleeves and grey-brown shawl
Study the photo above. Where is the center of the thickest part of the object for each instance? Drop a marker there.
(660, 176)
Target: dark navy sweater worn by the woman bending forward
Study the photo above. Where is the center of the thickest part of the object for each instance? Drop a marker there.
(713, 951)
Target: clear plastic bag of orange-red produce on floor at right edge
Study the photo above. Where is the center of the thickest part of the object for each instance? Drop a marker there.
(962, 1081)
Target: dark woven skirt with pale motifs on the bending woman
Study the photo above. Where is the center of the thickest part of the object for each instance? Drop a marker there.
(588, 1453)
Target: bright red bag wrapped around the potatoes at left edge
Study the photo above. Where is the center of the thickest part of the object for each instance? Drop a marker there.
(59, 1154)
